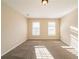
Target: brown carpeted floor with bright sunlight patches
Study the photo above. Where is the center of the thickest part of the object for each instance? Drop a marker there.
(41, 50)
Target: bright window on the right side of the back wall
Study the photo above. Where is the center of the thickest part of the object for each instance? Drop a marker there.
(51, 28)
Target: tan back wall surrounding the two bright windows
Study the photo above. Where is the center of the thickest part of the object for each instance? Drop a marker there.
(43, 28)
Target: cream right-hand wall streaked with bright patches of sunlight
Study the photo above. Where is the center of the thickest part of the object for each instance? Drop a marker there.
(69, 29)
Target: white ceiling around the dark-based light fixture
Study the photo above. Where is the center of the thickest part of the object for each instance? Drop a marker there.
(34, 8)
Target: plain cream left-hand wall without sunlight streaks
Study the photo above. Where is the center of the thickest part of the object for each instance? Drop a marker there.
(13, 28)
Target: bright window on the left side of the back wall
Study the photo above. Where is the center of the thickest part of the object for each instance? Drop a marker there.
(35, 28)
